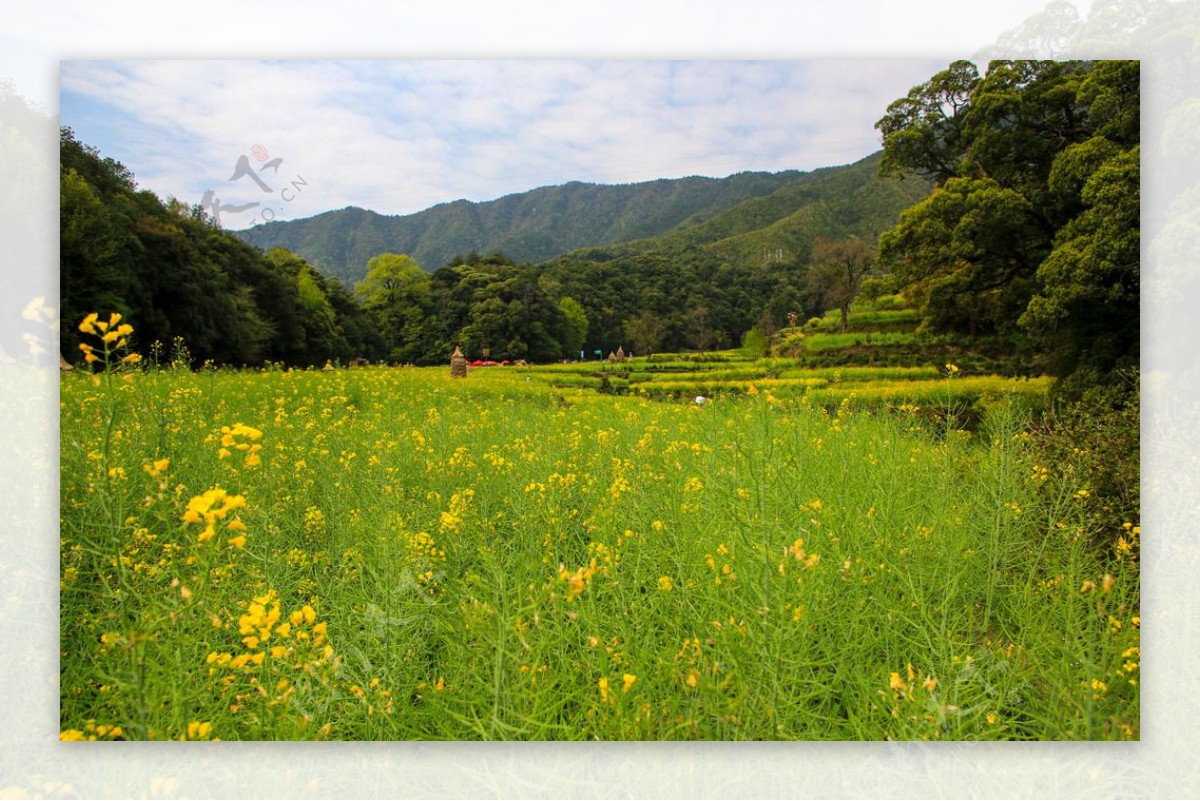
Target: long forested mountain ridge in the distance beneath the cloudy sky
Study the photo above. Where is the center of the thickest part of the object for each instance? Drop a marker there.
(747, 215)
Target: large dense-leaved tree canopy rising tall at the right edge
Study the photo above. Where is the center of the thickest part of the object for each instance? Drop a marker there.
(1033, 230)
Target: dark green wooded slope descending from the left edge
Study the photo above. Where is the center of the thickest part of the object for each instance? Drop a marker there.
(173, 274)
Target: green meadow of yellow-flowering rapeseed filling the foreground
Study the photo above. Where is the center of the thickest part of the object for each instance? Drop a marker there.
(500, 558)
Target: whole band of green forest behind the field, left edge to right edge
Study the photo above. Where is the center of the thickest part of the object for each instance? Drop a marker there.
(1004, 209)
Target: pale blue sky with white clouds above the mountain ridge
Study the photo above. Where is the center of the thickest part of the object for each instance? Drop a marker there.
(398, 137)
